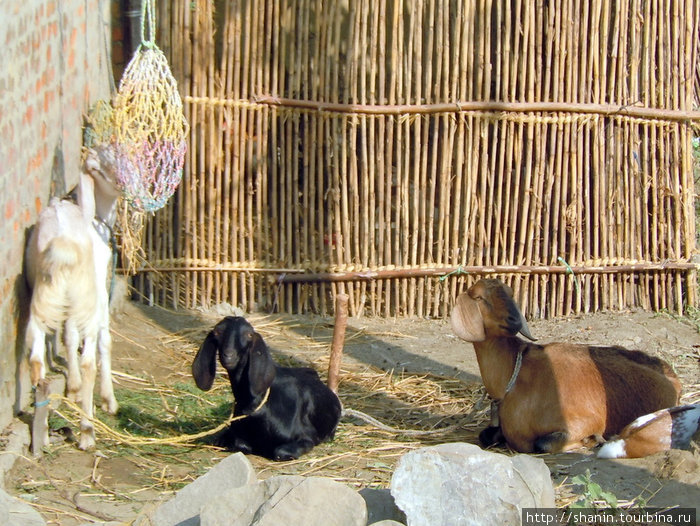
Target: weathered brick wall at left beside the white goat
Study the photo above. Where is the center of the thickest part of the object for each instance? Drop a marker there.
(54, 63)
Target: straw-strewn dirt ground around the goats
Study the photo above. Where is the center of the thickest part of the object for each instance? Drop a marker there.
(396, 360)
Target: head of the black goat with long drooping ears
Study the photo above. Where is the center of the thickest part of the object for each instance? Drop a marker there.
(242, 352)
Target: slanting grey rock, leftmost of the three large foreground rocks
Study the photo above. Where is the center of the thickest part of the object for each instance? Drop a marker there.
(183, 509)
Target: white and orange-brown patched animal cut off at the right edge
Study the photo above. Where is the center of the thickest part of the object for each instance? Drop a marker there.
(665, 429)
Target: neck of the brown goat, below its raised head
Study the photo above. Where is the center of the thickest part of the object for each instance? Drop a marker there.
(496, 357)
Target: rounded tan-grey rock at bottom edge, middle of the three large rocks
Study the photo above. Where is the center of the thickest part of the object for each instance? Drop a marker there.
(287, 499)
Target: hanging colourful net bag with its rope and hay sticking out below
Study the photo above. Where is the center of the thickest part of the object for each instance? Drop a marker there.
(145, 131)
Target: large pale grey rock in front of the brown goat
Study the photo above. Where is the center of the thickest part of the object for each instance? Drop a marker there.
(462, 485)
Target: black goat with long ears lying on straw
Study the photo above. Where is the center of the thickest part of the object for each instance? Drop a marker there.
(288, 410)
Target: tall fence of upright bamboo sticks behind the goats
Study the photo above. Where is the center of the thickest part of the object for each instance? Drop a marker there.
(398, 150)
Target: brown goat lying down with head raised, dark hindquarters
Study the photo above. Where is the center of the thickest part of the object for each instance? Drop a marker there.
(564, 395)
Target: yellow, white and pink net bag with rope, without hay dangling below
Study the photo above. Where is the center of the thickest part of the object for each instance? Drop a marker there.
(147, 127)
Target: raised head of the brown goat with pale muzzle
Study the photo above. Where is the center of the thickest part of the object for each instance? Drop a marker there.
(487, 310)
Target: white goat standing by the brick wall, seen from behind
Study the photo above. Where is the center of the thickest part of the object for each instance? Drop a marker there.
(67, 261)
